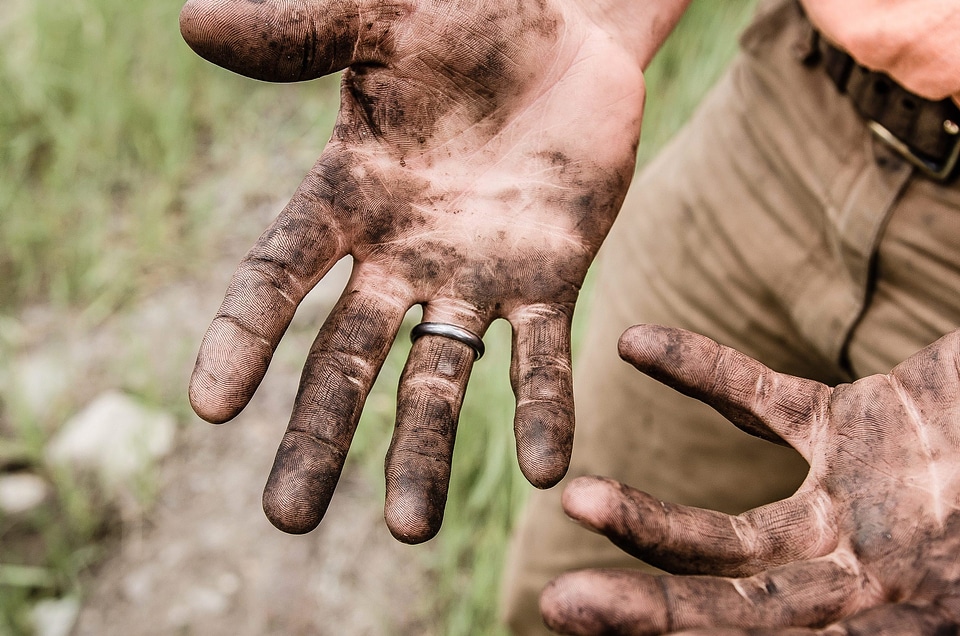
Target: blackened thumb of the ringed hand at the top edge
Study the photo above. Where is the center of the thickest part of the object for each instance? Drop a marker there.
(287, 40)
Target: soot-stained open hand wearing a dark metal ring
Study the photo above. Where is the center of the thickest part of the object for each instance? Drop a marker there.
(481, 153)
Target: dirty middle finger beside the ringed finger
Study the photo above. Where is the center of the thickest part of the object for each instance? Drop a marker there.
(340, 370)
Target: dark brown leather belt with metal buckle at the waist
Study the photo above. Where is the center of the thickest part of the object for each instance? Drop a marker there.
(926, 133)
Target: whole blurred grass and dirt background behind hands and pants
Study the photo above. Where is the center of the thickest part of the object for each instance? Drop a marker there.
(133, 177)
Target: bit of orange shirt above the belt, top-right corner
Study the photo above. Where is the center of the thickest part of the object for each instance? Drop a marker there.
(917, 42)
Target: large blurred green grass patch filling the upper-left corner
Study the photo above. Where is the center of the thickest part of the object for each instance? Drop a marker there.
(107, 120)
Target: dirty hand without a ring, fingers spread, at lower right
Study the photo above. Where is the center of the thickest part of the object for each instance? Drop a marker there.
(869, 544)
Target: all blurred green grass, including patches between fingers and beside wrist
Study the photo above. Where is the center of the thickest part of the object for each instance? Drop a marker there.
(109, 127)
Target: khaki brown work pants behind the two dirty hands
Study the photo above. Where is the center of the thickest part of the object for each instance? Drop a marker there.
(776, 224)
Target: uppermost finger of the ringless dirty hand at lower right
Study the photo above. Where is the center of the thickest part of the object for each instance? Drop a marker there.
(757, 399)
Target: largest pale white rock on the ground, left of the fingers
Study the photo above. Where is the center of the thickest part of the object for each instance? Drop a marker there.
(114, 437)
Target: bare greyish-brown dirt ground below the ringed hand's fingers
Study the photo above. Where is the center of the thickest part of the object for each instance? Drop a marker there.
(204, 559)
